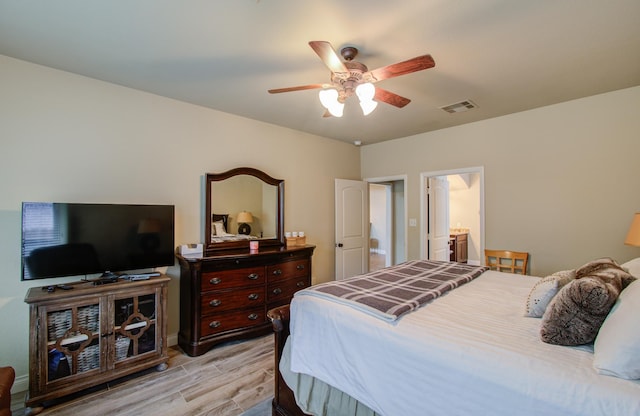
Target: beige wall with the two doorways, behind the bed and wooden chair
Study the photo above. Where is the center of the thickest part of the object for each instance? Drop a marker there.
(561, 182)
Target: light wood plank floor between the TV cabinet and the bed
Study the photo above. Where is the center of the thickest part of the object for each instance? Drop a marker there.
(227, 380)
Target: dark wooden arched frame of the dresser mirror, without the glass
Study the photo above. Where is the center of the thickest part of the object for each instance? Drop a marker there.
(214, 177)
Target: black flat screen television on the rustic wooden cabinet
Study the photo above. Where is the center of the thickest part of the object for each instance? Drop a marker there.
(72, 239)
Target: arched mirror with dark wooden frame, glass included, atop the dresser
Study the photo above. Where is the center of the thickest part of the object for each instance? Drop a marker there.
(242, 205)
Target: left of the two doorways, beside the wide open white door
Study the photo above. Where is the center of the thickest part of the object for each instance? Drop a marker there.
(387, 222)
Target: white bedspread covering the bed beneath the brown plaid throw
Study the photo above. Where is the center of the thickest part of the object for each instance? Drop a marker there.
(470, 352)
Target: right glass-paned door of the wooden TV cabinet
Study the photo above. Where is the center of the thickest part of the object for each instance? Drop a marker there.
(135, 326)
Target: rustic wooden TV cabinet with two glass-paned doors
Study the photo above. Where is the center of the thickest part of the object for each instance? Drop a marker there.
(84, 335)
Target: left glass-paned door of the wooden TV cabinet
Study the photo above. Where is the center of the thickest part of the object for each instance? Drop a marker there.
(73, 340)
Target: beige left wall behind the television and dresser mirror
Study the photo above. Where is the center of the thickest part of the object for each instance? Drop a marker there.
(68, 138)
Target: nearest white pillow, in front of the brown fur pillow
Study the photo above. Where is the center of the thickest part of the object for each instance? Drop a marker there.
(616, 351)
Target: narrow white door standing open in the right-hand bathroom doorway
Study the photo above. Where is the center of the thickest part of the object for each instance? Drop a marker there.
(438, 235)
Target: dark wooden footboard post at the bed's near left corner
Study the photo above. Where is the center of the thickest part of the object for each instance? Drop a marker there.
(284, 403)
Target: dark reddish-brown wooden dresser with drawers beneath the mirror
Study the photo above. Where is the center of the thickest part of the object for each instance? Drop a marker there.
(226, 296)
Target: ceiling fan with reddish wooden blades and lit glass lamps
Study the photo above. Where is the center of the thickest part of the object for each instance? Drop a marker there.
(350, 77)
